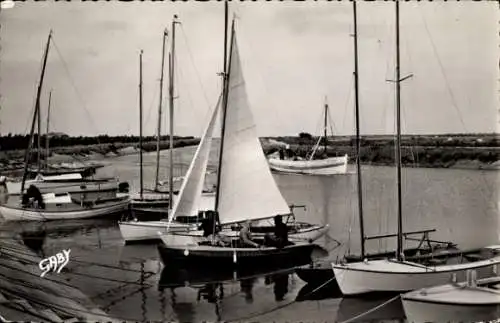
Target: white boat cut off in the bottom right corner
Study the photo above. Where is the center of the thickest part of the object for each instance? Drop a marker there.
(469, 301)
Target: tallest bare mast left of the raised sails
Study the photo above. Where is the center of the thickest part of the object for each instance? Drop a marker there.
(171, 98)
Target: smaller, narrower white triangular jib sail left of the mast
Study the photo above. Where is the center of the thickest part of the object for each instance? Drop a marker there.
(190, 193)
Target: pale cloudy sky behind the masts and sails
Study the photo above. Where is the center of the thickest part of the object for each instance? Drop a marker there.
(295, 56)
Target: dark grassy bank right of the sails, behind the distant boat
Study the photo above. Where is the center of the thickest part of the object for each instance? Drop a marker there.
(478, 151)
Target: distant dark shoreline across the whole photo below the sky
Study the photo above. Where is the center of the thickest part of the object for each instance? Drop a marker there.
(479, 152)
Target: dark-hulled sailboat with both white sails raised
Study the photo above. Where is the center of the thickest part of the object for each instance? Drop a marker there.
(246, 189)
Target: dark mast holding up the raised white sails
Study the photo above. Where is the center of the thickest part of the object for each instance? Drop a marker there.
(225, 85)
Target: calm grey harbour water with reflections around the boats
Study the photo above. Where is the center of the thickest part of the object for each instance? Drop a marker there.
(127, 281)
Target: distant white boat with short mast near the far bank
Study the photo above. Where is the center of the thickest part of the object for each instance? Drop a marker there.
(311, 166)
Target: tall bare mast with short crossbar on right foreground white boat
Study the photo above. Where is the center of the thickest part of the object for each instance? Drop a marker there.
(400, 255)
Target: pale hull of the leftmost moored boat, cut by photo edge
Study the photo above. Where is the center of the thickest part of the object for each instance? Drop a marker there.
(72, 211)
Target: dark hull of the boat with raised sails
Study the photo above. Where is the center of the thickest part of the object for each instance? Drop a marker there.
(210, 256)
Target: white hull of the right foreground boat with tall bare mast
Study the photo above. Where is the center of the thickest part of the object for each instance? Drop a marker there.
(388, 276)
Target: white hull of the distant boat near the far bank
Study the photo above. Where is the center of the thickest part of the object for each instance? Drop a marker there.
(329, 166)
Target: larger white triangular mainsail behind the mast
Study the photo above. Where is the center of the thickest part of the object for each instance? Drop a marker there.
(247, 189)
